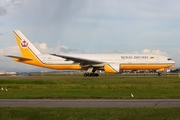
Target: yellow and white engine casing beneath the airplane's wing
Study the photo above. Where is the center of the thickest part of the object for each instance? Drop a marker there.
(112, 68)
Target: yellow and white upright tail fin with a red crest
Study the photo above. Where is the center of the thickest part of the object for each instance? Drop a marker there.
(26, 47)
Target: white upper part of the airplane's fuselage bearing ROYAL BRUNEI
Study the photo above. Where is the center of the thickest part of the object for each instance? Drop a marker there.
(110, 58)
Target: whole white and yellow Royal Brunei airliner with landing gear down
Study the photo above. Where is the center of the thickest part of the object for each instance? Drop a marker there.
(110, 63)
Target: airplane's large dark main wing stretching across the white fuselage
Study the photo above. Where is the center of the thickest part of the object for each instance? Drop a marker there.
(82, 61)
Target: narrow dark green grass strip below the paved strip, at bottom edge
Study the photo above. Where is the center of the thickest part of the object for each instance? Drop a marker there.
(89, 113)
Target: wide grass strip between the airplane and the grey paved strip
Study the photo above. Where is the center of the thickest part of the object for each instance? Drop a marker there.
(76, 86)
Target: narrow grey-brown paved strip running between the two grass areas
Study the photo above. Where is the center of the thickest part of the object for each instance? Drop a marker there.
(154, 103)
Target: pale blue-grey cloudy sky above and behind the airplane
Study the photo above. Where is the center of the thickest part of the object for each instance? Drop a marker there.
(90, 26)
